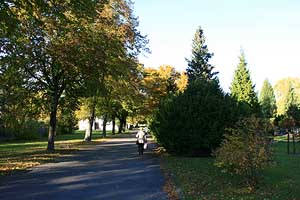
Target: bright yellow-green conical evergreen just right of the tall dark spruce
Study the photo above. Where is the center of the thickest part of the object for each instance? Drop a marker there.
(242, 89)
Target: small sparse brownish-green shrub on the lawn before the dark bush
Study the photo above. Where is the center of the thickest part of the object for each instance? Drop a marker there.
(245, 151)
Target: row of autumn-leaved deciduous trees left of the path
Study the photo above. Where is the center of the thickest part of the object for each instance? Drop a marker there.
(59, 55)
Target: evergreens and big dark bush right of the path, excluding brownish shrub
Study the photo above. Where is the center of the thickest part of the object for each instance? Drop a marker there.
(194, 121)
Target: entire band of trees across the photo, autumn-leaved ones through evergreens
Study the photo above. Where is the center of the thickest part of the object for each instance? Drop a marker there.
(70, 60)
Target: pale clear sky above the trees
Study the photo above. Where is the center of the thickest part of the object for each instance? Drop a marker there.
(267, 30)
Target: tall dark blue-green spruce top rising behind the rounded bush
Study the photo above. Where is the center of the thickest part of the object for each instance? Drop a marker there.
(198, 66)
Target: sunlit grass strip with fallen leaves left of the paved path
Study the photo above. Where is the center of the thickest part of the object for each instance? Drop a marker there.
(20, 155)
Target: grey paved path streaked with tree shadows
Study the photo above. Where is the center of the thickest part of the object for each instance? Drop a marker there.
(112, 170)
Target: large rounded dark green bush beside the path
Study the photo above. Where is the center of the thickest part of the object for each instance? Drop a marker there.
(192, 123)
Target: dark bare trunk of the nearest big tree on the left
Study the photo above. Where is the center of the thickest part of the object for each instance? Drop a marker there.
(52, 125)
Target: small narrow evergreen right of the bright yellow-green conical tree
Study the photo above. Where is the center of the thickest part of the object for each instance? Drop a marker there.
(267, 100)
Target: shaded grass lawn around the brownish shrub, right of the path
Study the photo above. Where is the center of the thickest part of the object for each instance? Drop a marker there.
(198, 178)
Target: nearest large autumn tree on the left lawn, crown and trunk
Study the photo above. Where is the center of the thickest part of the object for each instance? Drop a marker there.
(53, 43)
